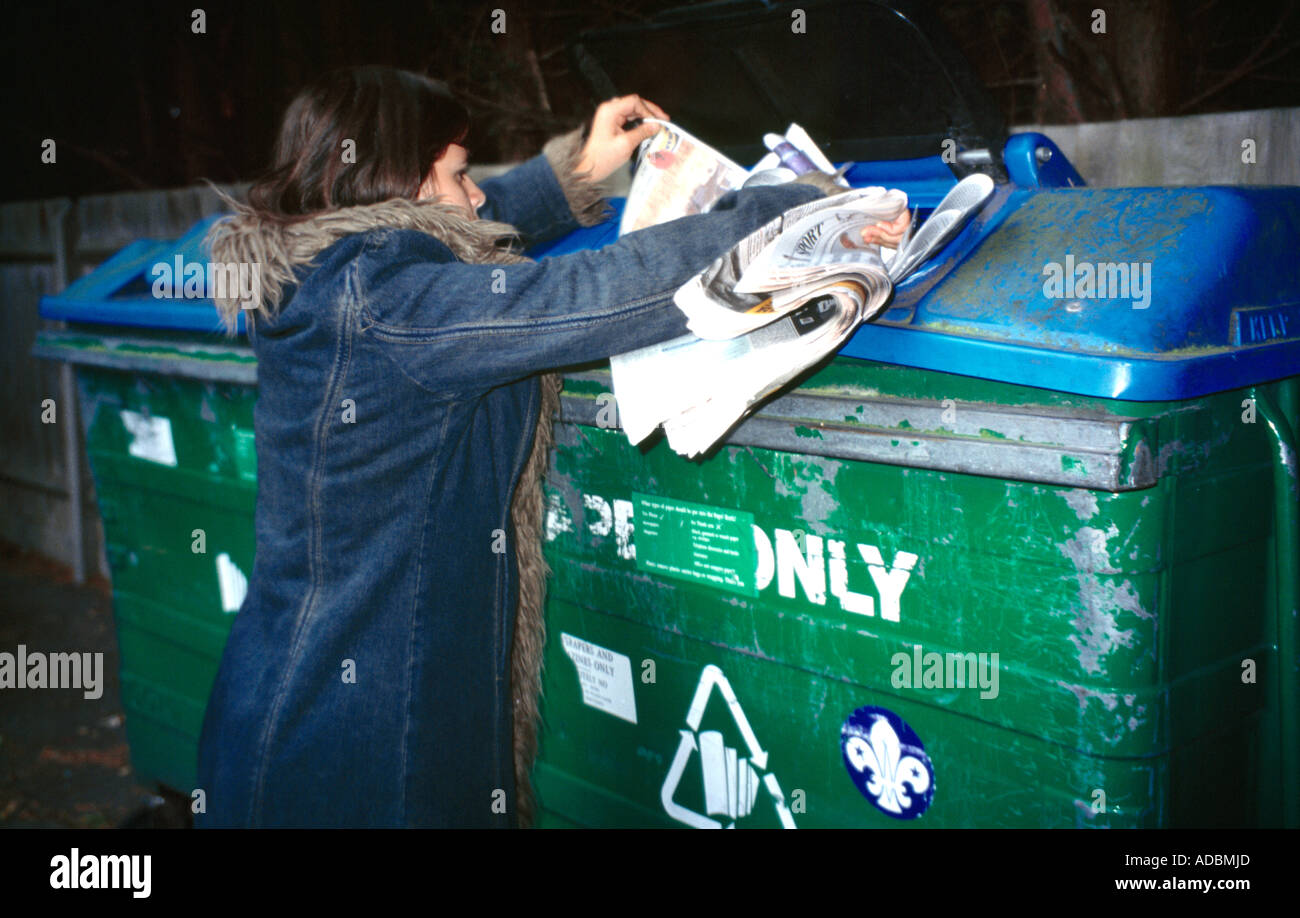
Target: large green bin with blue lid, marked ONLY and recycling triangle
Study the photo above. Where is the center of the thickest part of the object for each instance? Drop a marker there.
(1038, 570)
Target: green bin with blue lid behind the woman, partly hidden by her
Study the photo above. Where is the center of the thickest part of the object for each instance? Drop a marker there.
(167, 409)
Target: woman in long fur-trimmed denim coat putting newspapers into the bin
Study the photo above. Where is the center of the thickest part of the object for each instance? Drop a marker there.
(383, 670)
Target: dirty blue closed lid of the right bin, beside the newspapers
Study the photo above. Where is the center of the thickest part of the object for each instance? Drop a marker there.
(1217, 306)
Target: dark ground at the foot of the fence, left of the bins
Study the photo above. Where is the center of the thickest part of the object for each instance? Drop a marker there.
(64, 760)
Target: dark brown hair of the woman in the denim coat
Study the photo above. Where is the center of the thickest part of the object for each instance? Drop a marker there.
(398, 122)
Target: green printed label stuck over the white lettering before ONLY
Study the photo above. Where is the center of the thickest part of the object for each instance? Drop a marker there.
(695, 542)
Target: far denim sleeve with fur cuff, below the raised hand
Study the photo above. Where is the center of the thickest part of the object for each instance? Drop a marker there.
(545, 197)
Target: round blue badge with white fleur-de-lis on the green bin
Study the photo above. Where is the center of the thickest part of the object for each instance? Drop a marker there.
(887, 763)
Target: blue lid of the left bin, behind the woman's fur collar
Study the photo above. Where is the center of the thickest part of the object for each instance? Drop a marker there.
(122, 291)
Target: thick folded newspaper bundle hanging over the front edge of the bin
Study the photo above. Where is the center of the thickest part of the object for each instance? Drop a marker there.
(775, 305)
